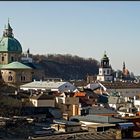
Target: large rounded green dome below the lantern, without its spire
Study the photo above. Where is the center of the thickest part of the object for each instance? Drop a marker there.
(10, 44)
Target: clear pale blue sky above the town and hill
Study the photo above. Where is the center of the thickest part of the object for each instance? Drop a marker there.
(82, 28)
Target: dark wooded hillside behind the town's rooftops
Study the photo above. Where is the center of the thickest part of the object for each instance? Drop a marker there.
(67, 66)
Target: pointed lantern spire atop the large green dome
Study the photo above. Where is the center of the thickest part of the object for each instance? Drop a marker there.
(8, 31)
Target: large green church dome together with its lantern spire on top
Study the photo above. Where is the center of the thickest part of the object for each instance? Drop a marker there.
(8, 43)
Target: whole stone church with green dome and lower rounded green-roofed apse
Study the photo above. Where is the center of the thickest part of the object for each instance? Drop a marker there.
(13, 69)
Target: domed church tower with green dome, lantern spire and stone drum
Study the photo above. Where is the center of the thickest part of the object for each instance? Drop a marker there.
(10, 48)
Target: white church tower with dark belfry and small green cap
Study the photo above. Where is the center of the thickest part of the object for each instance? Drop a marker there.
(105, 70)
